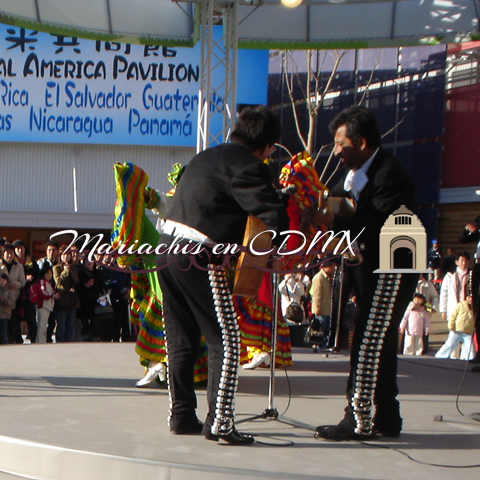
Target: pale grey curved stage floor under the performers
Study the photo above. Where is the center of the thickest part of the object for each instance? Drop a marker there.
(71, 411)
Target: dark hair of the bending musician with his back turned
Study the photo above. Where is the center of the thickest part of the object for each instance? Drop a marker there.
(257, 127)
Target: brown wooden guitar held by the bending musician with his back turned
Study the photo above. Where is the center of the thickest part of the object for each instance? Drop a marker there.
(248, 276)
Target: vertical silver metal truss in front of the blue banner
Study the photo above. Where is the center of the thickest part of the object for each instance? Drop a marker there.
(218, 73)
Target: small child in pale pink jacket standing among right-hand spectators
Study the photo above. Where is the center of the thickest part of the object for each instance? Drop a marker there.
(415, 324)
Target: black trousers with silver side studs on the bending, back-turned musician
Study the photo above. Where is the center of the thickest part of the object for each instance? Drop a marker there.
(196, 301)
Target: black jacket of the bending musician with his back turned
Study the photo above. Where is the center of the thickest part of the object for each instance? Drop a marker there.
(220, 187)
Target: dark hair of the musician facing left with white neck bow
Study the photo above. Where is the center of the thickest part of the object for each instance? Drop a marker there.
(360, 122)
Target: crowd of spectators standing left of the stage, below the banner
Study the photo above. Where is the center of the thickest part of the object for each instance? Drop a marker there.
(55, 298)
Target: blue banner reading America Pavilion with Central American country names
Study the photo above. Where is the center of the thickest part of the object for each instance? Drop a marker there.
(70, 90)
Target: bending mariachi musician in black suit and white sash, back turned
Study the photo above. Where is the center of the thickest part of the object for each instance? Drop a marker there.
(221, 186)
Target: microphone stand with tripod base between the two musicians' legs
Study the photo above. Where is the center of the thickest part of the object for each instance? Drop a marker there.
(271, 412)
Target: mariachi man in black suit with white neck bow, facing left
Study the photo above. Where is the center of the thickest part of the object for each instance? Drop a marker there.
(378, 185)
